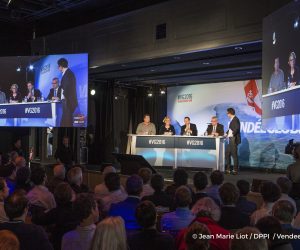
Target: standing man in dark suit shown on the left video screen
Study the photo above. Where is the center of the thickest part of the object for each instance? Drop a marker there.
(69, 93)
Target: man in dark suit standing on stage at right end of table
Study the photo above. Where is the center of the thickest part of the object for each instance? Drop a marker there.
(234, 139)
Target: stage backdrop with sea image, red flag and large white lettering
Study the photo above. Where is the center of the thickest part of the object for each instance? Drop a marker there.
(259, 148)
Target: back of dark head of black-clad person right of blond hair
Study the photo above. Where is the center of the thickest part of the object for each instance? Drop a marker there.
(145, 214)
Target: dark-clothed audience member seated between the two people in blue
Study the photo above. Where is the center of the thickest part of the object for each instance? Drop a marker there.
(160, 199)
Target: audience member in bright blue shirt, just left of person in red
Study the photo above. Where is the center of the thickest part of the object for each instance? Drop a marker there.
(174, 221)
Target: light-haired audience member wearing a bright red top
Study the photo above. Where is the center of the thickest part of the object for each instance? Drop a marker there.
(208, 213)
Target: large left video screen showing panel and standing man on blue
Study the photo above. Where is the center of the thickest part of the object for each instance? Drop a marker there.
(44, 91)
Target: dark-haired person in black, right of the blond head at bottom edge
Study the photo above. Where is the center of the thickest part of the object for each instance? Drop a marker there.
(149, 238)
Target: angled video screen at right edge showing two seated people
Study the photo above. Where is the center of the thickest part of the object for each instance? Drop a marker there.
(281, 68)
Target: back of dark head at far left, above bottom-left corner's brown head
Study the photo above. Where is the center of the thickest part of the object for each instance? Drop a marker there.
(15, 205)
